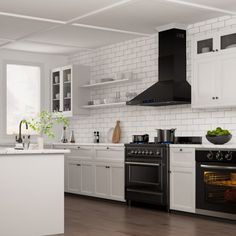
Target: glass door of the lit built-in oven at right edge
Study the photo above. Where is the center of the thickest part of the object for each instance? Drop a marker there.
(216, 187)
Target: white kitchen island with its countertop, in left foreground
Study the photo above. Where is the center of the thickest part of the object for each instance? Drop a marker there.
(32, 192)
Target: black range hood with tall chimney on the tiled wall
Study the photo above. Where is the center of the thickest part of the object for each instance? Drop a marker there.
(172, 87)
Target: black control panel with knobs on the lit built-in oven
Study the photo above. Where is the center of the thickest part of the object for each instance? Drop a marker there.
(216, 155)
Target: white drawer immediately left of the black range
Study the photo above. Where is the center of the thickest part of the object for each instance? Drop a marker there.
(109, 152)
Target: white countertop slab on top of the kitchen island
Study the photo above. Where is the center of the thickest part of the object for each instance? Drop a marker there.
(12, 151)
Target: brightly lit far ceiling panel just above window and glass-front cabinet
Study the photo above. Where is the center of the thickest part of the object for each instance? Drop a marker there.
(41, 48)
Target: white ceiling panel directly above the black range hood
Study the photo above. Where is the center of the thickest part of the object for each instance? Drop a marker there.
(144, 16)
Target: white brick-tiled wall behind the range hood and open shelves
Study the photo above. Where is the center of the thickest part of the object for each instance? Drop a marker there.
(141, 57)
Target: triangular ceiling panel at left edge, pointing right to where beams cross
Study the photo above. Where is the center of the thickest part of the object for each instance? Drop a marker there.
(12, 28)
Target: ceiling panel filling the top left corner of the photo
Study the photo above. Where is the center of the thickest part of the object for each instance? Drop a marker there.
(53, 9)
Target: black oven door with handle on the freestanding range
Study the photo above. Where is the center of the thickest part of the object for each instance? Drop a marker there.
(143, 177)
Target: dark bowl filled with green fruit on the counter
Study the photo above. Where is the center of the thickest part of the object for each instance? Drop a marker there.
(218, 136)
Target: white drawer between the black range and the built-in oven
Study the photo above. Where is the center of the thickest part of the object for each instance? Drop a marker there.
(182, 157)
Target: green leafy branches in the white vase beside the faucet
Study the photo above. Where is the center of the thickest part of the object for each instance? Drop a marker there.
(45, 121)
